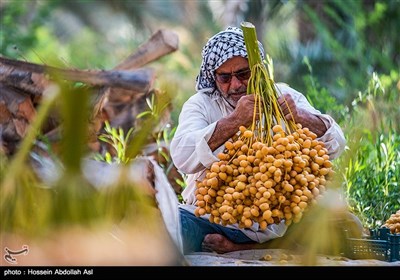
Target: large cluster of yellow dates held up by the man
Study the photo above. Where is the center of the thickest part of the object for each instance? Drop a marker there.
(264, 182)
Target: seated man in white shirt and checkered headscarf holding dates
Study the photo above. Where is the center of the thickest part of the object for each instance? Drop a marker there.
(211, 117)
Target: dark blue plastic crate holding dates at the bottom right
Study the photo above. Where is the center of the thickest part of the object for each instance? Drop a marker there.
(381, 245)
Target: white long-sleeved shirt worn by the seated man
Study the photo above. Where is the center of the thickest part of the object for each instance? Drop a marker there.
(192, 155)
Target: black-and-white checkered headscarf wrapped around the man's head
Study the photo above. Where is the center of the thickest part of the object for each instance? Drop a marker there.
(219, 48)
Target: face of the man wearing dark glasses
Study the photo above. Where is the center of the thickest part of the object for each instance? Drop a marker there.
(232, 77)
